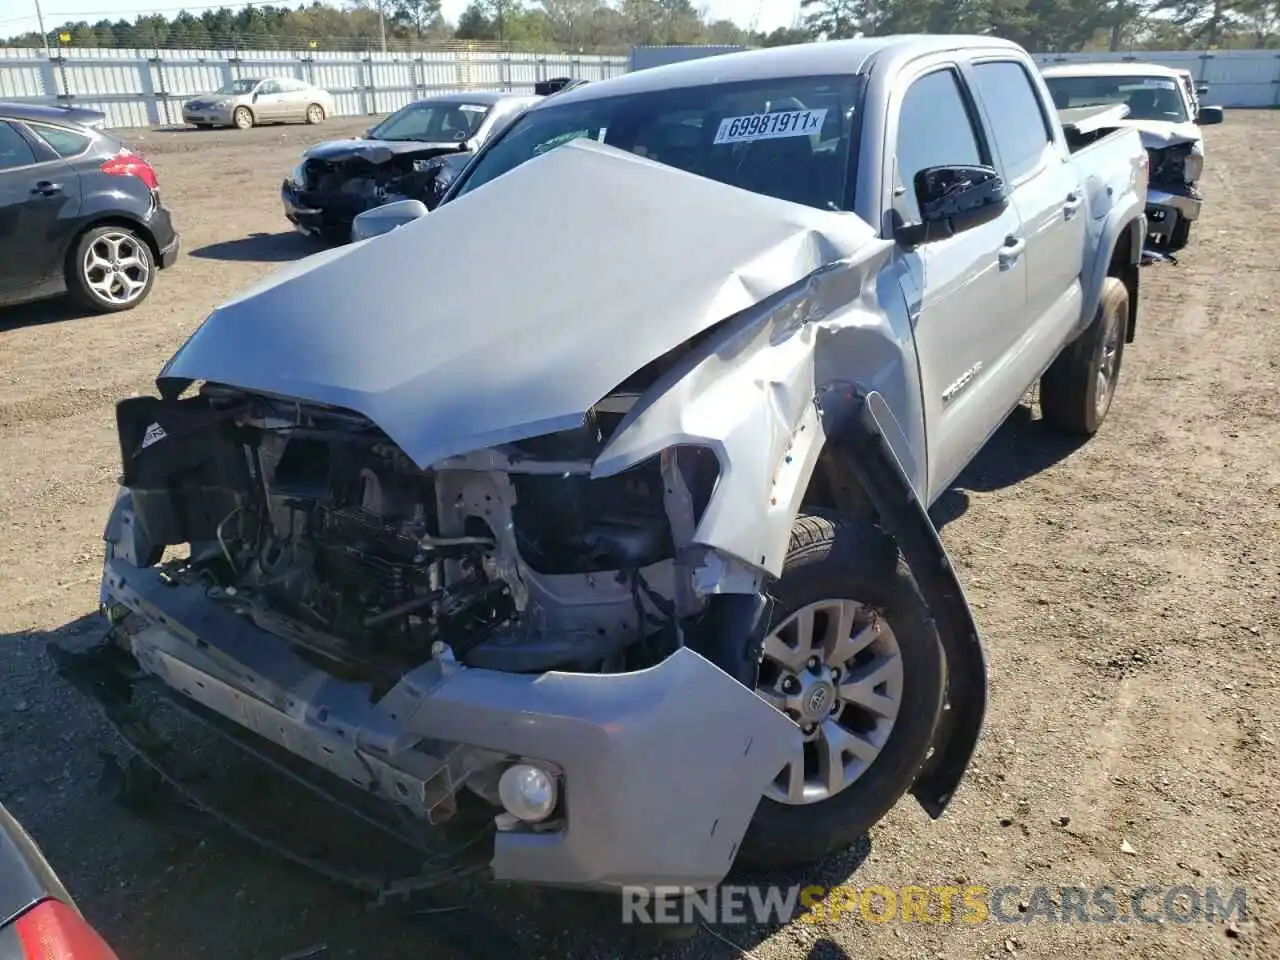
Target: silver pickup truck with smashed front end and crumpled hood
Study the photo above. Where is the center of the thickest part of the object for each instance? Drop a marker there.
(609, 513)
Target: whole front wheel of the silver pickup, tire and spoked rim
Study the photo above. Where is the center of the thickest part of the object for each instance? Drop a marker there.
(854, 657)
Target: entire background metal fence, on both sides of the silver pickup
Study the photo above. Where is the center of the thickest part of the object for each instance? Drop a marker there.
(136, 90)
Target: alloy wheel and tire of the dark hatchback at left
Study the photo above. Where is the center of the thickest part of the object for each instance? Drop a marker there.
(111, 269)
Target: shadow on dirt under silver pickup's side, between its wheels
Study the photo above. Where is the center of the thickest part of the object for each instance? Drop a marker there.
(1021, 449)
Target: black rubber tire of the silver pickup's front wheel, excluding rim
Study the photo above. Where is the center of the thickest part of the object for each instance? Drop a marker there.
(831, 560)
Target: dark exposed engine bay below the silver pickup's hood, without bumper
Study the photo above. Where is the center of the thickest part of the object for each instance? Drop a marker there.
(313, 524)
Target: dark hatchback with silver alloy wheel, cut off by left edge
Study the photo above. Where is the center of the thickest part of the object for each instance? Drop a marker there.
(80, 213)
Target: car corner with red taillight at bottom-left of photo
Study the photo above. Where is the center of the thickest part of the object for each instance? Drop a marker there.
(39, 920)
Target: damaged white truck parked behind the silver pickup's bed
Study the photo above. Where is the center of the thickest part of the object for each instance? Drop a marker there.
(1164, 107)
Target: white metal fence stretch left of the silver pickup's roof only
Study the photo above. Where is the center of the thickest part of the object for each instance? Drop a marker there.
(136, 90)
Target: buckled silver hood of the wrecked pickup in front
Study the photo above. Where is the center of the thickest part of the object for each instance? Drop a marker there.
(510, 312)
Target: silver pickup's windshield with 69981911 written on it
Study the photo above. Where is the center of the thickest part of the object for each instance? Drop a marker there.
(787, 139)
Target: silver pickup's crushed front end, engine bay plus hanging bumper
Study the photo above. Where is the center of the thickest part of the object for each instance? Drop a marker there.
(500, 629)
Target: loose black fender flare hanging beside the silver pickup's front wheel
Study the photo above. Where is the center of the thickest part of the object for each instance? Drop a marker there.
(860, 436)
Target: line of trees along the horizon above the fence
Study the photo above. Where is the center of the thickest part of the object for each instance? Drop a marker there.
(614, 26)
